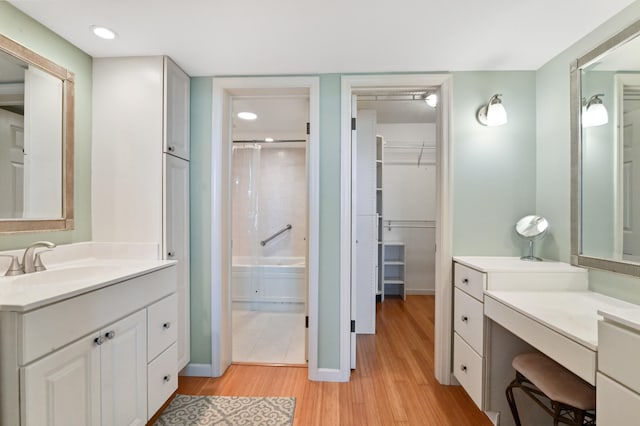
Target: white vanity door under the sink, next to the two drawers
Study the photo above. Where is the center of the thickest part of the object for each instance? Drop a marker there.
(124, 371)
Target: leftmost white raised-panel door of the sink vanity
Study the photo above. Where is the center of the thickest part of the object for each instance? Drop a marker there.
(63, 389)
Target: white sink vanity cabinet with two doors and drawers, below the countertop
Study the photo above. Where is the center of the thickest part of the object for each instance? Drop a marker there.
(104, 357)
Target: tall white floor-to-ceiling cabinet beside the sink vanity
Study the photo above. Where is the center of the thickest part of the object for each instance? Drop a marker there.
(140, 164)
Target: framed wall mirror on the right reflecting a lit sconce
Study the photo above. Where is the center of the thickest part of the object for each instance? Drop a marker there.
(605, 132)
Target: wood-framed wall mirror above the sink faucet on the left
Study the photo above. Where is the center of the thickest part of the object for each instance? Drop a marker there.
(36, 141)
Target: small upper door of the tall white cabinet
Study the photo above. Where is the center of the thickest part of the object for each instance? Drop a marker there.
(177, 88)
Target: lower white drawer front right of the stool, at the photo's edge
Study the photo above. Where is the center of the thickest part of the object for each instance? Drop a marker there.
(615, 404)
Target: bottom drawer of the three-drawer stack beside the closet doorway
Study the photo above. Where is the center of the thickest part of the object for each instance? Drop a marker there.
(467, 367)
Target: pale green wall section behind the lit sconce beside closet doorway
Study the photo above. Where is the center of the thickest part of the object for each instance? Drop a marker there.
(493, 167)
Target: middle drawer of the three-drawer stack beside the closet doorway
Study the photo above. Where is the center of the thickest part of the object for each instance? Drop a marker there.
(469, 319)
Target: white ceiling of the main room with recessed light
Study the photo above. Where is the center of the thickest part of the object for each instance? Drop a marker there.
(258, 37)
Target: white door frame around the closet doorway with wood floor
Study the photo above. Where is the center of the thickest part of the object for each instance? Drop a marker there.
(444, 302)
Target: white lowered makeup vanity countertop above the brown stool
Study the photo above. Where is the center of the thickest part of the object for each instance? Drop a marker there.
(574, 314)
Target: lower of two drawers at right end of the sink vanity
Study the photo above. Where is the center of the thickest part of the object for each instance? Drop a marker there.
(162, 379)
